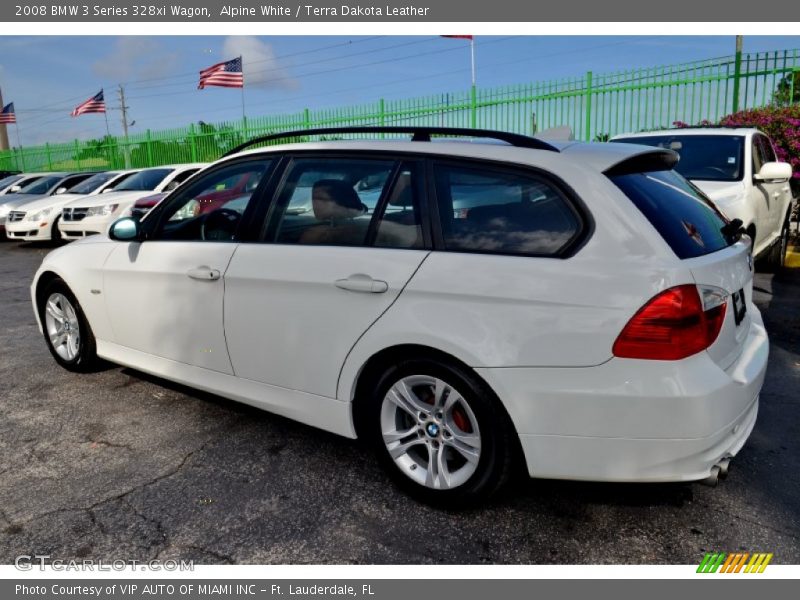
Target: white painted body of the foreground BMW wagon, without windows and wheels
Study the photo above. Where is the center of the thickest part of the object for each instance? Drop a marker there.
(274, 329)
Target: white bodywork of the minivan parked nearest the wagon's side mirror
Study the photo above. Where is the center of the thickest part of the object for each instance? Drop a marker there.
(116, 204)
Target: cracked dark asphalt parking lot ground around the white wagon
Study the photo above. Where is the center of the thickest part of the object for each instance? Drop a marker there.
(119, 465)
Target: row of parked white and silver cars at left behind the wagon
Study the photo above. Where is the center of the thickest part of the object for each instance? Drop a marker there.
(53, 206)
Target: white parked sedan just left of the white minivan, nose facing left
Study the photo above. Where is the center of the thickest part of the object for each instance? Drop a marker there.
(38, 220)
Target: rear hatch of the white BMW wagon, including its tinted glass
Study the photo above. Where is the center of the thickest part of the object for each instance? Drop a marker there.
(709, 245)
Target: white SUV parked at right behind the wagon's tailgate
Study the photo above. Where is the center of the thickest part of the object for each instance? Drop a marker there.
(739, 170)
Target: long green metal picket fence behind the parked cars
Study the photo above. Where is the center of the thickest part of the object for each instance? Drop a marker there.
(594, 105)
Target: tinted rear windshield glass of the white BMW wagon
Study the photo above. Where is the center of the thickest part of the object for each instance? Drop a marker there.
(686, 220)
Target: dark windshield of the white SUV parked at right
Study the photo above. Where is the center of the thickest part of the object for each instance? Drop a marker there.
(703, 157)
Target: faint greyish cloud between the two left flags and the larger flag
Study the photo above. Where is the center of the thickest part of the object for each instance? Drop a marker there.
(135, 57)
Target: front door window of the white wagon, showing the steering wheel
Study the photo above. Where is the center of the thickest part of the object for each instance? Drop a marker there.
(211, 208)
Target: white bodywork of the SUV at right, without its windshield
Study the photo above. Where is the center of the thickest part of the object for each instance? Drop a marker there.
(763, 206)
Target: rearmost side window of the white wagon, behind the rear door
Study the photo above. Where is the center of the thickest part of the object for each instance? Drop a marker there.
(496, 211)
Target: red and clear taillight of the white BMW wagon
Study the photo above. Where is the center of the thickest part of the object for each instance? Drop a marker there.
(677, 323)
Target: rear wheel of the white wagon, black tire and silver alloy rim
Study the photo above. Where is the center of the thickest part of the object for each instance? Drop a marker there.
(423, 409)
